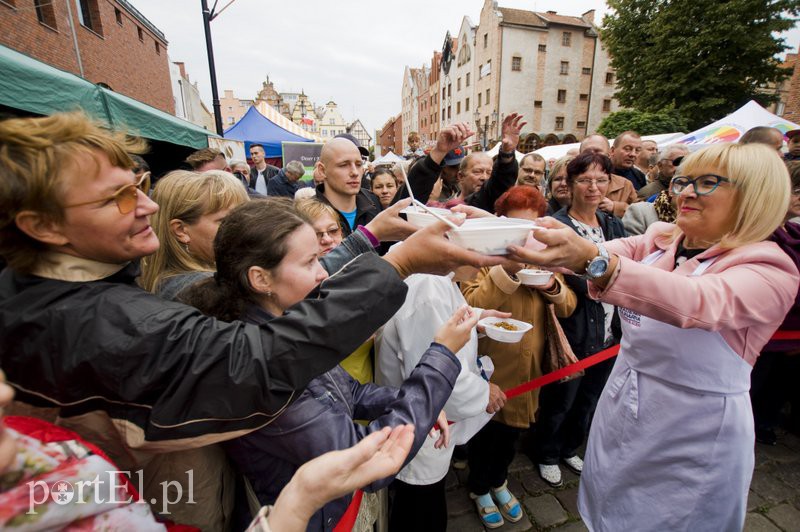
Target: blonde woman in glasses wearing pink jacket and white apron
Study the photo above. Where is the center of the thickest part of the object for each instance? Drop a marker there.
(671, 445)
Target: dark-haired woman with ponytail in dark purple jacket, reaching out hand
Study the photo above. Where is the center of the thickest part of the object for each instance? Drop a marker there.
(266, 263)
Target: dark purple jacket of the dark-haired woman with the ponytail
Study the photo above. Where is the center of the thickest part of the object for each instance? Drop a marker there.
(321, 420)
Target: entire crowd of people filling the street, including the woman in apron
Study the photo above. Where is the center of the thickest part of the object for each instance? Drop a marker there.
(309, 354)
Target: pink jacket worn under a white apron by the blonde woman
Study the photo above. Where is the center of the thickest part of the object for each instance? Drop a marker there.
(744, 294)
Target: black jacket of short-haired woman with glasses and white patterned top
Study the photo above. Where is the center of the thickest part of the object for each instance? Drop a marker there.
(585, 328)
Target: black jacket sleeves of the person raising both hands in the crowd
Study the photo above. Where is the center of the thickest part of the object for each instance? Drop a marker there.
(424, 174)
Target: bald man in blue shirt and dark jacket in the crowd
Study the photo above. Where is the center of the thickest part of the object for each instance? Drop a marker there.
(341, 167)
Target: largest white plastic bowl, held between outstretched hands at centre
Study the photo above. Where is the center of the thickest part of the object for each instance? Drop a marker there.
(491, 236)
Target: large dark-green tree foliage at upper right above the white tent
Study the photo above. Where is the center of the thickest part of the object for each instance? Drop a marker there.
(705, 58)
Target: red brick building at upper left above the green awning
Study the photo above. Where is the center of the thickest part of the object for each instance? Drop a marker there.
(107, 42)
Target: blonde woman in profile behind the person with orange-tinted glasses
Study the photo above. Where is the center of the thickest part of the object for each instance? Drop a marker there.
(192, 206)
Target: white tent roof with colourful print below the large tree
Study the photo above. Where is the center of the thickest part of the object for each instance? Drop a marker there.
(733, 126)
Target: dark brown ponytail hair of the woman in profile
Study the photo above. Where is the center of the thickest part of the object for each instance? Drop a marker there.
(254, 234)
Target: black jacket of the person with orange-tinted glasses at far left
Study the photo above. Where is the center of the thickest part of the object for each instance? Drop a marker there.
(166, 371)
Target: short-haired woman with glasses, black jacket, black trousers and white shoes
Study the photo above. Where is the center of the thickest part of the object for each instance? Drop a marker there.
(565, 409)
